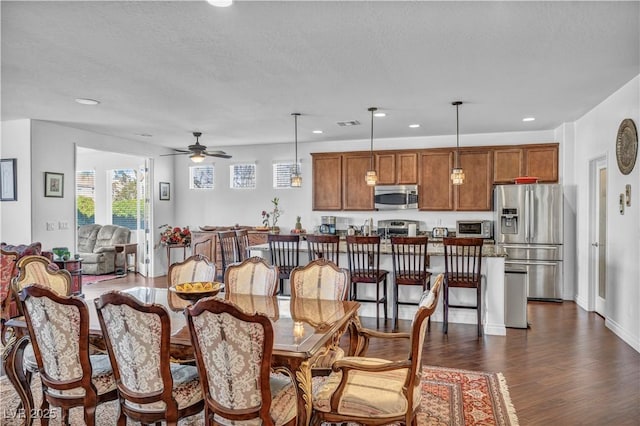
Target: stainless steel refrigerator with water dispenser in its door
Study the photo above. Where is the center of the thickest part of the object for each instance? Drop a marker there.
(529, 229)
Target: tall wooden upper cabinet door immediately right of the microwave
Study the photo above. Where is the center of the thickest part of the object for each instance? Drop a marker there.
(436, 190)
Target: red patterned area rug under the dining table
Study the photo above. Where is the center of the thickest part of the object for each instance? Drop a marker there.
(449, 397)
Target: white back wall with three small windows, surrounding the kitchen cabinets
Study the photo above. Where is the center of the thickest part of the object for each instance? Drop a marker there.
(223, 206)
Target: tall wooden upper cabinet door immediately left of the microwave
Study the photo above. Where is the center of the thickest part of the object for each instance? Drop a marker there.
(357, 195)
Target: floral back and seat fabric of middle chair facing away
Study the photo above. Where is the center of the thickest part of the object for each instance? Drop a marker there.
(135, 338)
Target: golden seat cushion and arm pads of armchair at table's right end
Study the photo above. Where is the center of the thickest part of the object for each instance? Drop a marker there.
(367, 394)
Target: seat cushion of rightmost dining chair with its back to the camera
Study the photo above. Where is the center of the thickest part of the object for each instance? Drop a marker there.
(283, 403)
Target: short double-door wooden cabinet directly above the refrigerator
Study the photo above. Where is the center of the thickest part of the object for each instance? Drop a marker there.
(540, 160)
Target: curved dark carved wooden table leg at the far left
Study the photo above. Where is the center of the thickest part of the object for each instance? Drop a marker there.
(12, 358)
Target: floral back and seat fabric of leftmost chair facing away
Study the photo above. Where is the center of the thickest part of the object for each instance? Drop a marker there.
(57, 334)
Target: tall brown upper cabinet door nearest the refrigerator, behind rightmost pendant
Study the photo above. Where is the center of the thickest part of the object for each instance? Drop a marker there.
(475, 194)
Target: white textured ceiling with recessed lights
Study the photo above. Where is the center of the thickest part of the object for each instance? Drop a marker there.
(168, 68)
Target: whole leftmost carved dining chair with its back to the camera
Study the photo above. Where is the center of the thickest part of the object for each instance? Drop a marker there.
(59, 331)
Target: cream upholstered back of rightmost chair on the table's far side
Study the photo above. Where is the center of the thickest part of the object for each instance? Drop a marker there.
(320, 282)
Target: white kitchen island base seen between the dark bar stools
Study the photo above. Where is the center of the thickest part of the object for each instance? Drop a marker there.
(493, 309)
